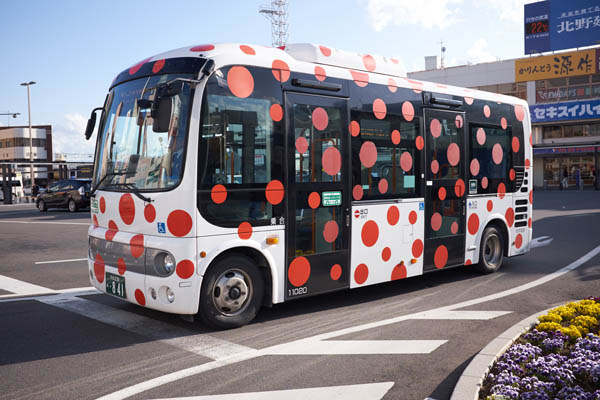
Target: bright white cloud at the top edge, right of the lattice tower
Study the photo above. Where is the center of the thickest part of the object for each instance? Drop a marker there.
(429, 13)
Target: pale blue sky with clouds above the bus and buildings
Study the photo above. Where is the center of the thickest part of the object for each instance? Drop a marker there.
(73, 49)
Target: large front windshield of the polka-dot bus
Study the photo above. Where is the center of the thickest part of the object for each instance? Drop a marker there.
(130, 153)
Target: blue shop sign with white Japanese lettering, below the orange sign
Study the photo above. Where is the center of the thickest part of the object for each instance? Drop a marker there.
(574, 110)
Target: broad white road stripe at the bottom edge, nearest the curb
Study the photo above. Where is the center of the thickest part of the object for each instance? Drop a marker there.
(368, 391)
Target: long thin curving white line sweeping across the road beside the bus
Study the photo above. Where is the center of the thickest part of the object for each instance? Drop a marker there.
(184, 373)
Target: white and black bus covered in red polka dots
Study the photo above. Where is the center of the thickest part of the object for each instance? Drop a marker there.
(228, 177)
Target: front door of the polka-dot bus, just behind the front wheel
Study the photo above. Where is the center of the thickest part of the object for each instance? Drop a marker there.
(318, 194)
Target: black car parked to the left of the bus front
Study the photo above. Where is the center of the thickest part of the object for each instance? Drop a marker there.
(71, 194)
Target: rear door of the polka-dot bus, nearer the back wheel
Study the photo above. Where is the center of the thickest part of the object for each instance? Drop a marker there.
(445, 200)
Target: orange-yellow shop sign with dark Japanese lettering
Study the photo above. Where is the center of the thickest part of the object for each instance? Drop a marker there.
(556, 66)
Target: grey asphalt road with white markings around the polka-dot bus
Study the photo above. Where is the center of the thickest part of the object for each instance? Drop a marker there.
(403, 340)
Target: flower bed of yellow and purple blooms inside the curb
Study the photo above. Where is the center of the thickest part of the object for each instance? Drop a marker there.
(558, 359)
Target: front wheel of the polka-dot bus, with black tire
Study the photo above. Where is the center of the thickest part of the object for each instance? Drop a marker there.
(224, 310)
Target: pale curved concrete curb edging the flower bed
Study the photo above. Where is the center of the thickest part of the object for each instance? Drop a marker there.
(470, 381)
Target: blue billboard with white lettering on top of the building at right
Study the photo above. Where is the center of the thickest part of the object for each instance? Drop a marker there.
(559, 24)
